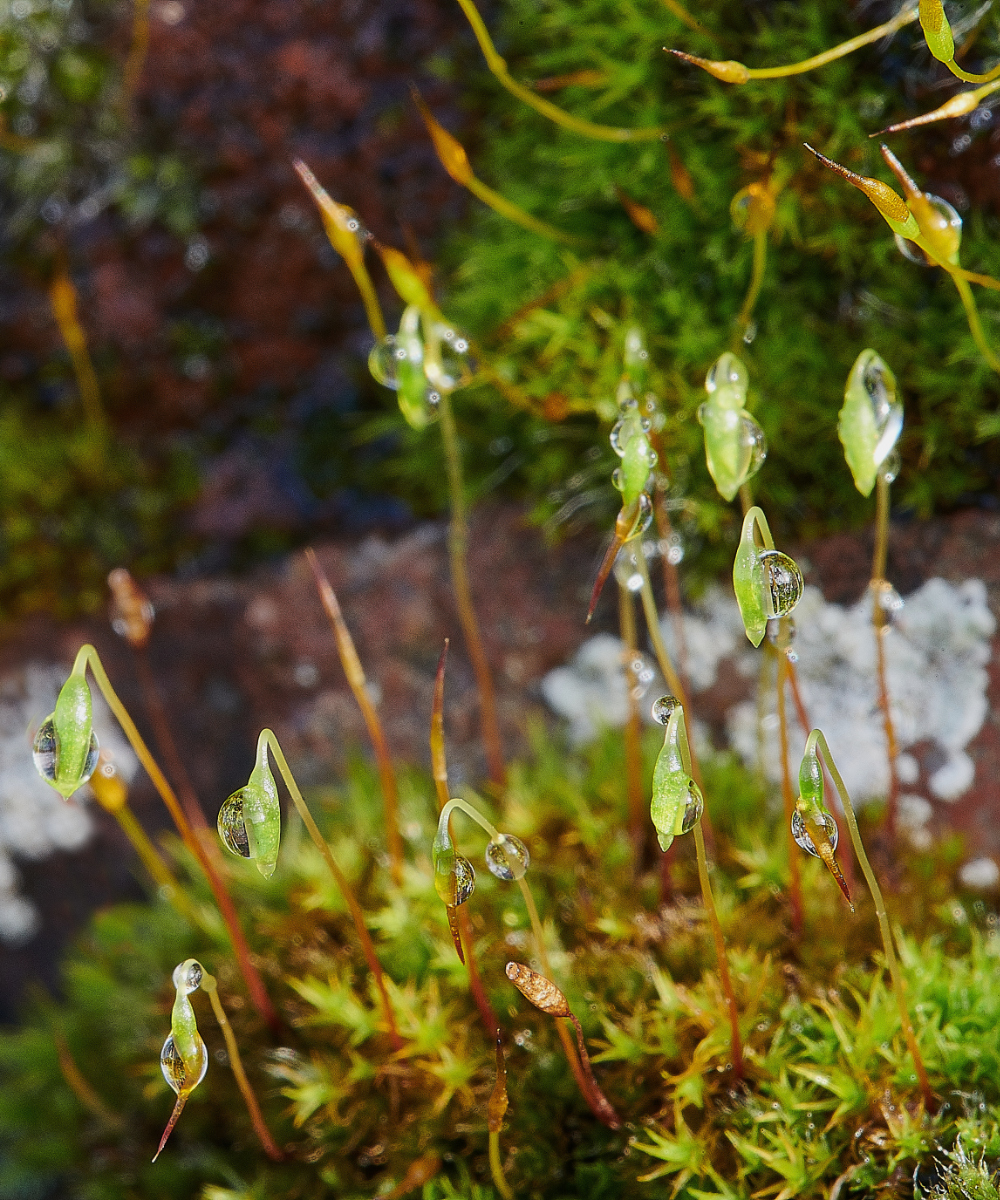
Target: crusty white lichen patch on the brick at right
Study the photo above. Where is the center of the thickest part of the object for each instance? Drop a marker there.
(936, 659)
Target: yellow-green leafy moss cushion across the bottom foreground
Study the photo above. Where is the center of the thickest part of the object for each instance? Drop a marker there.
(830, 1102)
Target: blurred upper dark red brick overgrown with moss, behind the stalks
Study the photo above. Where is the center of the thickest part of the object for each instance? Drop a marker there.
(229, 341)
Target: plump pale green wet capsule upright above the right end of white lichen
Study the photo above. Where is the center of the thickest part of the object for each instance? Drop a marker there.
(871, 419)
